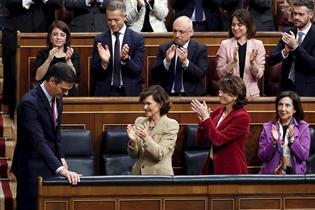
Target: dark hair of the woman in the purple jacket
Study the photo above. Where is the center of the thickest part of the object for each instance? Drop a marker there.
(299, 113)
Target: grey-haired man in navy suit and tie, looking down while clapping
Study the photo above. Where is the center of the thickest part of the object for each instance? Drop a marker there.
(117, 66)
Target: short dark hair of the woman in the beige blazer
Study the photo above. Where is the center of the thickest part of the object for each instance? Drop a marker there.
(159, 95)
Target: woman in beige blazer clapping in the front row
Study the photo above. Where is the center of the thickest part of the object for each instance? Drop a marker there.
(152, 138)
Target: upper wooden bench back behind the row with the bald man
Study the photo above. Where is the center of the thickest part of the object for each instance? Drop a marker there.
(30, 43)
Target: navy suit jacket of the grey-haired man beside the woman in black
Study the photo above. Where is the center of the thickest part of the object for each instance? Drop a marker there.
(131, 71)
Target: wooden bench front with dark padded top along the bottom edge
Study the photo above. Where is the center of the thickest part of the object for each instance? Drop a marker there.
(179, 193)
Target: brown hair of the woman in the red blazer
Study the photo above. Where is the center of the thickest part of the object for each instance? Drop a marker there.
(234, 86)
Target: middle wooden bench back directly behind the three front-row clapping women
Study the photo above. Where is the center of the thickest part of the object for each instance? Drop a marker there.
(99, 113)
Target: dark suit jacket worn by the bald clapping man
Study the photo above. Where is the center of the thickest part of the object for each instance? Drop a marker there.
(193, 75)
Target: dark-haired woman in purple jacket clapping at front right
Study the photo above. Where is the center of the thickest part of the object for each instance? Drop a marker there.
(285, 142)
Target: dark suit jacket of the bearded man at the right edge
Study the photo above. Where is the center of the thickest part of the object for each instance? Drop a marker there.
(304, 63)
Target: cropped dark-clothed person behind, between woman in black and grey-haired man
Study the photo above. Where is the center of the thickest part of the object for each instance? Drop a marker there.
(88, 15)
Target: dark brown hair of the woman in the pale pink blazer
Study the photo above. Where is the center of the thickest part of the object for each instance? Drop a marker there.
(244, 17)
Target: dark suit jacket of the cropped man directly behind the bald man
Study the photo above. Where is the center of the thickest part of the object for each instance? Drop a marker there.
(210, 7)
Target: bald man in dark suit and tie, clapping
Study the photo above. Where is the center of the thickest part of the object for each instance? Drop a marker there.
(181, 65)
